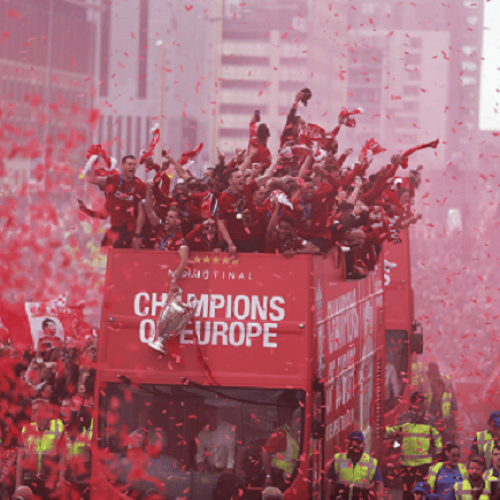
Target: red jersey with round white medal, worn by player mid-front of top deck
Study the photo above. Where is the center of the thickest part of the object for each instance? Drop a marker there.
(238, 212)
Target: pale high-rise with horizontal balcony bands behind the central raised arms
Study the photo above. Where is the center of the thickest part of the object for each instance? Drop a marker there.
(259, 56)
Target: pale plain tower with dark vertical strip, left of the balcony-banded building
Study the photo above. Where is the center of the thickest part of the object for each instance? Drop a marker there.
(133, 36)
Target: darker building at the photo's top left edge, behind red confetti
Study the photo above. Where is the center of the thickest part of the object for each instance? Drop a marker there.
(45, 87)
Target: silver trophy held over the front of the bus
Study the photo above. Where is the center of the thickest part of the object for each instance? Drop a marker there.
(172, 320)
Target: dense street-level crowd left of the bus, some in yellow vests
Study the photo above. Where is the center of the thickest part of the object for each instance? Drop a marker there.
(46, 425)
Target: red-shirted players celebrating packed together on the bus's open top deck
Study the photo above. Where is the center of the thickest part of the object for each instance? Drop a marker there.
(305, 200)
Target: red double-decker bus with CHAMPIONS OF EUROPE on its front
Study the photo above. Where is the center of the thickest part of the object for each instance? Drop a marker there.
(266, 330)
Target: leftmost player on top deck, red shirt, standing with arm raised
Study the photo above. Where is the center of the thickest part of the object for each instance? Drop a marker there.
(123, 195)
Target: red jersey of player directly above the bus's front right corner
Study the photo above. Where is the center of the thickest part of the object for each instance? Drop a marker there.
(312, 216)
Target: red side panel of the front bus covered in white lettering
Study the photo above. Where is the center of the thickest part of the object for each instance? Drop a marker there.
(349, 327)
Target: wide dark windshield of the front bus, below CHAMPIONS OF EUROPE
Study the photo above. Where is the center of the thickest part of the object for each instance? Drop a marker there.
(187, 436)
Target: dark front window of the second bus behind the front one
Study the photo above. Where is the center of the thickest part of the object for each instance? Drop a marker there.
(396, 367)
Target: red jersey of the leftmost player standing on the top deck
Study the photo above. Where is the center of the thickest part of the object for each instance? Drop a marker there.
(122, 200)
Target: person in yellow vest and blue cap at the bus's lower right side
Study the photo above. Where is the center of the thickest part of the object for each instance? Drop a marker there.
(354, 475)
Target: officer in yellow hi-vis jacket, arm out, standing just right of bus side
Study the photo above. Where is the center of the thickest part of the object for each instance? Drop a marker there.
(419, 439)
